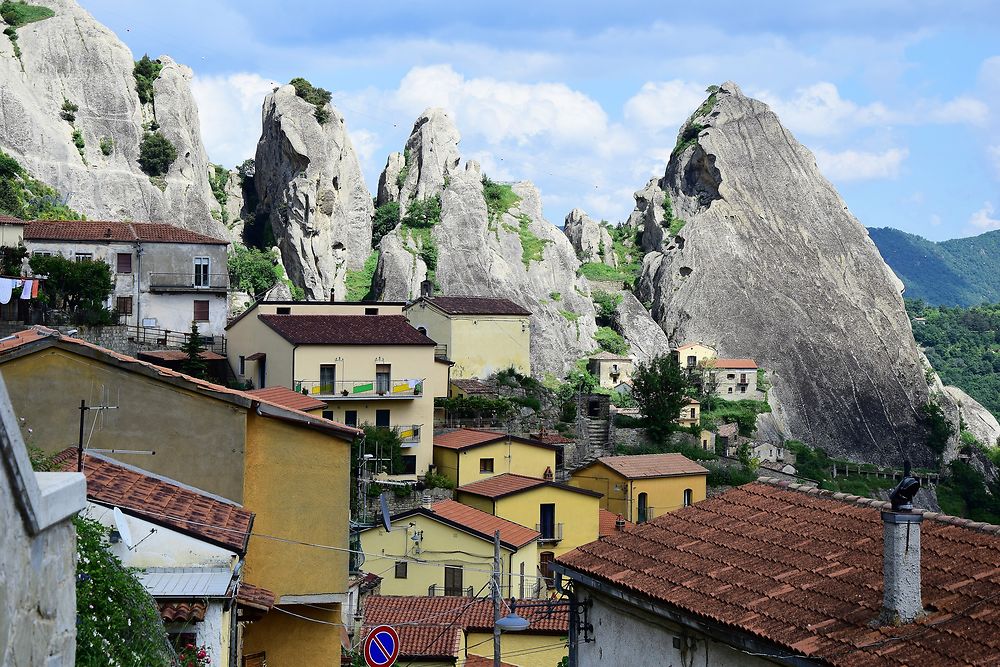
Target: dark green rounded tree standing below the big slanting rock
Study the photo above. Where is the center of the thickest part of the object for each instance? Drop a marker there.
(660, 389)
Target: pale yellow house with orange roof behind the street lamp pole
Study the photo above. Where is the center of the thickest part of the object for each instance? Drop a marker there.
(447, 549)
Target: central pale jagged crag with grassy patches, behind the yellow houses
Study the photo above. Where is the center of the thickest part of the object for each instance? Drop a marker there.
(516, 254)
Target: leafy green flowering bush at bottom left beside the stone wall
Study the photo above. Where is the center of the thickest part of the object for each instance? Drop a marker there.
(117, 622)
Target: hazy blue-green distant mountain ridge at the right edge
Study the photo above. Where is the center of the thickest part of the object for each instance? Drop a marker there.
(958, 272)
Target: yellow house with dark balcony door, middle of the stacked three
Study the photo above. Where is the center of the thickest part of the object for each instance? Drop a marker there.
(566, 516)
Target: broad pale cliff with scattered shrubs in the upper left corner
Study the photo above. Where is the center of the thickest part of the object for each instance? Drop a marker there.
(71, 57)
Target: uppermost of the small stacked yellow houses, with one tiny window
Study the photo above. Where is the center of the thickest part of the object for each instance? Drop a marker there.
(467, 455)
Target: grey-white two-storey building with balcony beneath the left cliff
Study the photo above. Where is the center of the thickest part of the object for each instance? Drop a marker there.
(164, 277)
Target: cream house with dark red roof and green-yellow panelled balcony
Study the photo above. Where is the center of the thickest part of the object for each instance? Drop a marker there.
(367, 368)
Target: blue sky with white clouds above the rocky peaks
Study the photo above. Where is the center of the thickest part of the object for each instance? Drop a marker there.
(898, 99)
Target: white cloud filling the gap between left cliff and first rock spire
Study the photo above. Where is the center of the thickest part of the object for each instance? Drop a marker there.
(229, 109)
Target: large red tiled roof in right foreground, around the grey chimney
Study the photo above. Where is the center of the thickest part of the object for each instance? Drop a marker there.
(804, 570)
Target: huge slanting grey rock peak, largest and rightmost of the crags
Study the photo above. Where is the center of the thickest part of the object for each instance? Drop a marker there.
(770, 264)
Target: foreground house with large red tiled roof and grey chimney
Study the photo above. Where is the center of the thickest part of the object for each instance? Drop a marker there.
(771, 573)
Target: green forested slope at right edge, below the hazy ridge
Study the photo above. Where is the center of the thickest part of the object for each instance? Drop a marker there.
(963, 346)
